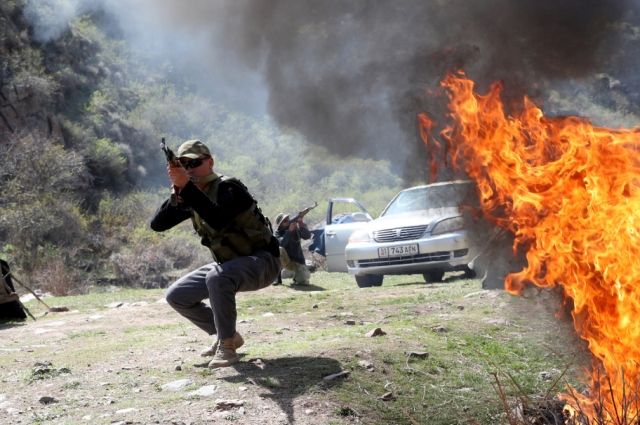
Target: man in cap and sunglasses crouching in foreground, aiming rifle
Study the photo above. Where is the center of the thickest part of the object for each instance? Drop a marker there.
(230, 224)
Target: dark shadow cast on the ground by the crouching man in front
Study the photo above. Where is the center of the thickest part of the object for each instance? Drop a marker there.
(285, 379)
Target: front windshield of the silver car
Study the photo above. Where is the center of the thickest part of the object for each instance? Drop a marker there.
(426, 198)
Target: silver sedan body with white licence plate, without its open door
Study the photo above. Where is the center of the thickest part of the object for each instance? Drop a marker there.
(420, 231)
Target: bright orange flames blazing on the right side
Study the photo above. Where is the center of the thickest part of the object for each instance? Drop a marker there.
(570, 193)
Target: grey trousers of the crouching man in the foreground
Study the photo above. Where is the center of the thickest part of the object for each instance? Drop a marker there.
(220, 283)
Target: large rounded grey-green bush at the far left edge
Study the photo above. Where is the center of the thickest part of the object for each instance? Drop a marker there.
(41, 182)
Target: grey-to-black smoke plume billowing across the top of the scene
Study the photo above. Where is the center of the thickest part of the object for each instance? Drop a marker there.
(351, 76)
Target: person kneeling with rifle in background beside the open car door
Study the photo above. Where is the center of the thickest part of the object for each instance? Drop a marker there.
(290, 233)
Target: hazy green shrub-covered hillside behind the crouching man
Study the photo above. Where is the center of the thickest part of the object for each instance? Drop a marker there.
(80, 122)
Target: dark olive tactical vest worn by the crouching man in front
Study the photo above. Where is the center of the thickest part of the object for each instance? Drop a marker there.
(248, 232)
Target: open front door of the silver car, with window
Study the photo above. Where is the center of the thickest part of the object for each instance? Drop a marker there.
(344, 215)
